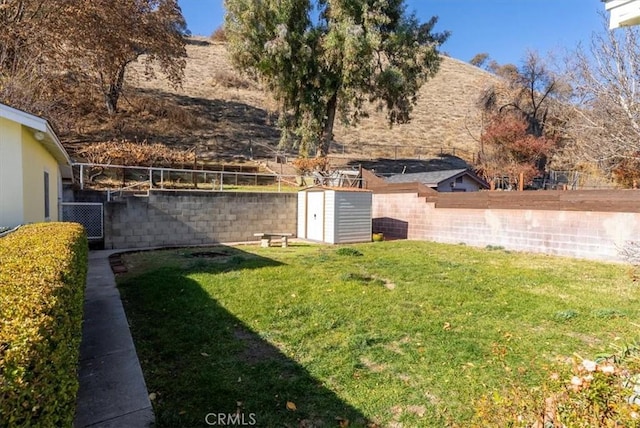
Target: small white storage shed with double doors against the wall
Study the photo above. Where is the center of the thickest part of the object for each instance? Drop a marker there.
(335, 215)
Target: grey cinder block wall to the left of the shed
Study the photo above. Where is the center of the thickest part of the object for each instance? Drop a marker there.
(195, 218)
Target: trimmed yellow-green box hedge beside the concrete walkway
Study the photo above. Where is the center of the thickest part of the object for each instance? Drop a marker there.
(43, 269)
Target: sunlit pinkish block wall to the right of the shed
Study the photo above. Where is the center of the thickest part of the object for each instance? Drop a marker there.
(581, 234)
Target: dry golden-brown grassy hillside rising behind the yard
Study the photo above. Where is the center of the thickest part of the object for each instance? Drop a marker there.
(225, 113)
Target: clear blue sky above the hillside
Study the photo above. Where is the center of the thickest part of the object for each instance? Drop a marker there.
(505, 29)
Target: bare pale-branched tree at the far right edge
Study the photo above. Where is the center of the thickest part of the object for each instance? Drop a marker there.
(606, 80)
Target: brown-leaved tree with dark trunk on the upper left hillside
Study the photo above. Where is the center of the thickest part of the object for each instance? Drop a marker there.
(111, 34)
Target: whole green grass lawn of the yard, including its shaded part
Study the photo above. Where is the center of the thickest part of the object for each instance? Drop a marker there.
(389, 334)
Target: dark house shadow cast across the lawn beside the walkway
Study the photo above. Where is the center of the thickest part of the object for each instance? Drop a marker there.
(206, 367)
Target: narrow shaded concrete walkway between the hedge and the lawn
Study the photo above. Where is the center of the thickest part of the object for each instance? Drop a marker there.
(112, 389)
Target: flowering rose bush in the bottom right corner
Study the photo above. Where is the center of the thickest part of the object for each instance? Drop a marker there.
(604, 392)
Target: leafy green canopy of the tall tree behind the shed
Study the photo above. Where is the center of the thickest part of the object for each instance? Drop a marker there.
(330, 64)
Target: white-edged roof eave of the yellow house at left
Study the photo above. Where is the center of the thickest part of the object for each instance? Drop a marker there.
(43, 133)
